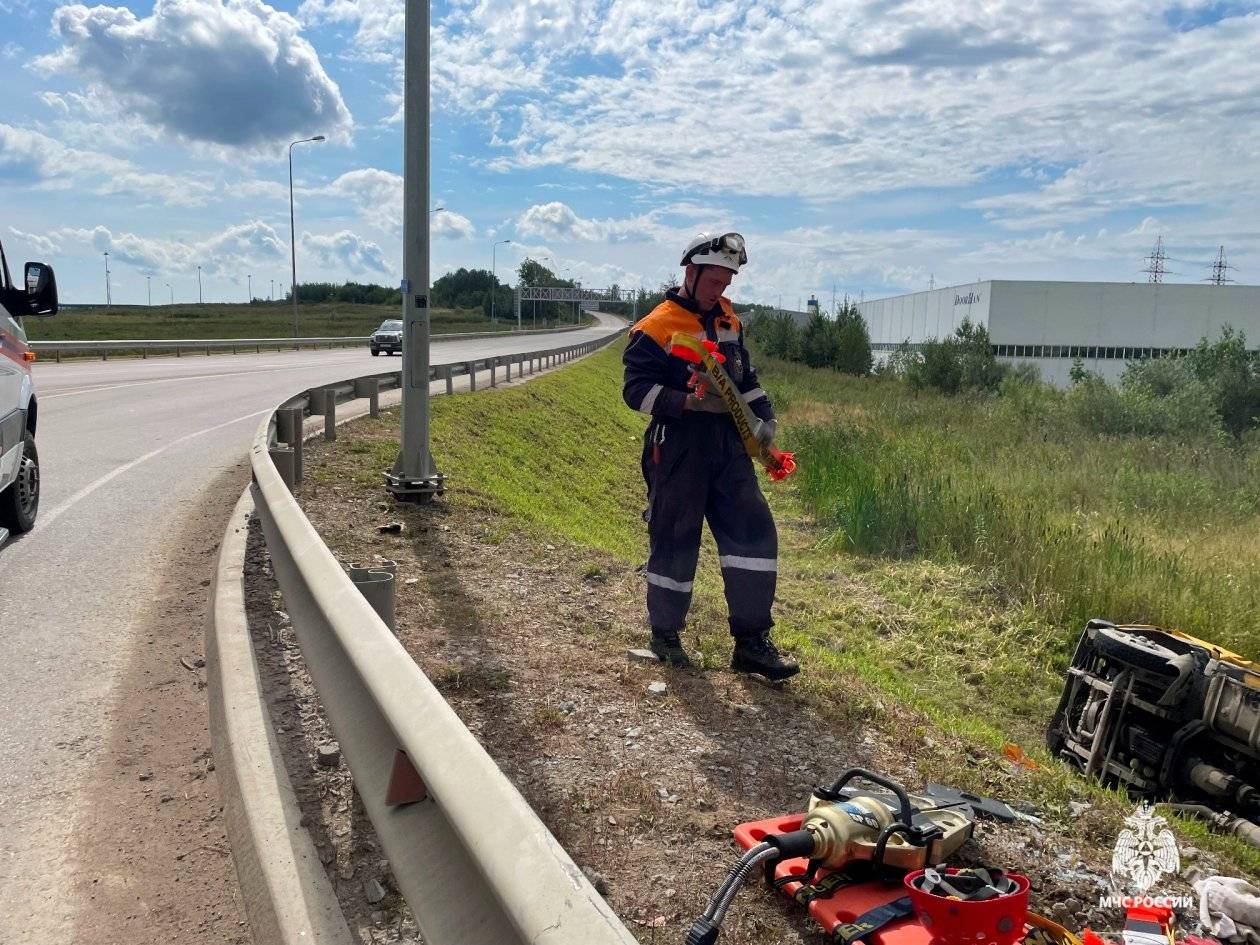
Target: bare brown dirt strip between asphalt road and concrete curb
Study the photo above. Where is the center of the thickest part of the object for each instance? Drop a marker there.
(154, 855)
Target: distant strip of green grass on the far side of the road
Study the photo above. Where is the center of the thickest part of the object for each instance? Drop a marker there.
(224, 321)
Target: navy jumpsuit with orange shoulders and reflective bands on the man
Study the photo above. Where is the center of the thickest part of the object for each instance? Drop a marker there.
(697, 469)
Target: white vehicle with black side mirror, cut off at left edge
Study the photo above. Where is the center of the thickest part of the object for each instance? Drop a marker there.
(20, 408)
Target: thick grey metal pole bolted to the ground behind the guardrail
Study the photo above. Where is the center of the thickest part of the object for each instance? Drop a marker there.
(415, 477)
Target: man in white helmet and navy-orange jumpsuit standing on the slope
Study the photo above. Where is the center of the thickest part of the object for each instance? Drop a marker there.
(697, 469)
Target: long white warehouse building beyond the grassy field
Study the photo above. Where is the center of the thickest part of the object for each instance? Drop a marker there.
(1050, 324)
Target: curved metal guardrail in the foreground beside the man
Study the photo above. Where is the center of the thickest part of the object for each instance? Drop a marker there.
(472, 859)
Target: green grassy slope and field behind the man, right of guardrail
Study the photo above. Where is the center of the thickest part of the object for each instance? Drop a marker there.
(938, 554)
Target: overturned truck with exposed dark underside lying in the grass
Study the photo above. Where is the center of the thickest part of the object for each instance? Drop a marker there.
(1169, 718)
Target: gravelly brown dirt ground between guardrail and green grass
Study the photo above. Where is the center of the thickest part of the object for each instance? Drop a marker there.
(527, 638)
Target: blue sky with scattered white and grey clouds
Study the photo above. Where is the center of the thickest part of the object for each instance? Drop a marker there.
(860, 147)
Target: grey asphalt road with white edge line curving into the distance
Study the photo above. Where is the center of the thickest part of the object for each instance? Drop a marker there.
(128, 448)
